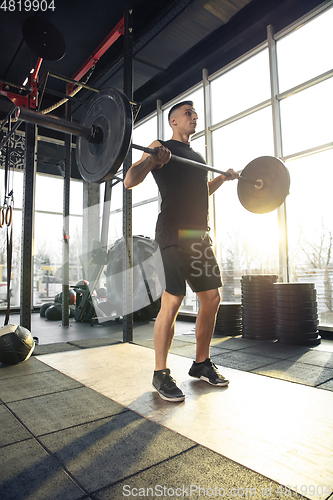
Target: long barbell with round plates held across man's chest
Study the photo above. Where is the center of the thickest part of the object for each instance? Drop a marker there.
(104, 138)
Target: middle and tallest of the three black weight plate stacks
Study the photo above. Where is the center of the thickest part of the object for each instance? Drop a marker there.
(258, 306)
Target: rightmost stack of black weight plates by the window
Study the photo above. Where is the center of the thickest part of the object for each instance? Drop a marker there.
(297, 314)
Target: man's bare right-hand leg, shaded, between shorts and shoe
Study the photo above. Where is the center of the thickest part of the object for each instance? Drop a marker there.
(205, 323)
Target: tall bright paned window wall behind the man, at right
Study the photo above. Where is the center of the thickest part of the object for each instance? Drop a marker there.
(242, 129)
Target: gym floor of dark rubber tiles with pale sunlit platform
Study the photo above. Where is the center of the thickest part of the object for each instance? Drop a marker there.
(80, 419)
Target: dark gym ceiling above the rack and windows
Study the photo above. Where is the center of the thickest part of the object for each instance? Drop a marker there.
(173, 41)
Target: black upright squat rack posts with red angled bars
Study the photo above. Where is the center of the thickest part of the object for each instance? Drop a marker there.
(29, 100)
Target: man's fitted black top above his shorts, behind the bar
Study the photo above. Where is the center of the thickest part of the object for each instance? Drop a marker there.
(184, 192)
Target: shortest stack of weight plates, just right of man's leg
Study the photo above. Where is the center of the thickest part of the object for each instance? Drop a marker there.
(229, 319)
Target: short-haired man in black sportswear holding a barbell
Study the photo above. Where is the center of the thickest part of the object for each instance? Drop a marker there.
(186, 248)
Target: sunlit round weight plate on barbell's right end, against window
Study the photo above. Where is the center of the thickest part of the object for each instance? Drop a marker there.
(276, 184)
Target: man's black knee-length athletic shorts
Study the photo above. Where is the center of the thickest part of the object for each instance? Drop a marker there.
(193, 262)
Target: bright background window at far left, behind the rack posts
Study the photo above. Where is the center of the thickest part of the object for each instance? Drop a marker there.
(48, 239)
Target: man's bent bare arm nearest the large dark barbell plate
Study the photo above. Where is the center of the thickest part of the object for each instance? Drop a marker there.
(139, 170)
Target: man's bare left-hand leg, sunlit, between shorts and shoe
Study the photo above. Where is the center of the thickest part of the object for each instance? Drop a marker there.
(165, 328)
